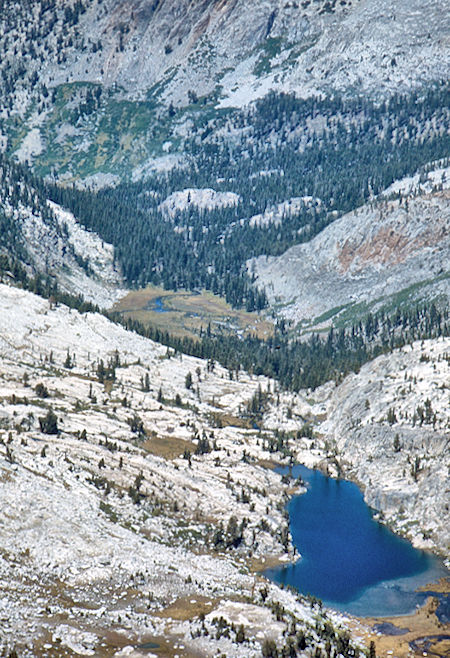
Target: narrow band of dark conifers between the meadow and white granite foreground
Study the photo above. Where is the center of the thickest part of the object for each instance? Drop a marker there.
(299, 364)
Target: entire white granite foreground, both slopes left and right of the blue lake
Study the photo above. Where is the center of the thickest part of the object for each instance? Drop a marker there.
(148, 516)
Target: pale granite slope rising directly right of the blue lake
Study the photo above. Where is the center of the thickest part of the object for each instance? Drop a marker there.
(390, 424)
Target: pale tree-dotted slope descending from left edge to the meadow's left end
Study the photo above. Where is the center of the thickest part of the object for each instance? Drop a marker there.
(49, 242)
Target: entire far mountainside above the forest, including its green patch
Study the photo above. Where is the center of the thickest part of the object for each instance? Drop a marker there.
(100, 83)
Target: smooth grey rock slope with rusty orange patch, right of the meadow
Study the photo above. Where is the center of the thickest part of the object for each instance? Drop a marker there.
(365, 256)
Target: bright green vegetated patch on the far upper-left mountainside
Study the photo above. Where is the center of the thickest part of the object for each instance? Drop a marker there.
(115, 137)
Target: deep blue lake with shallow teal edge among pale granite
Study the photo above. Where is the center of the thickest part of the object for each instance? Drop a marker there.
(349, 560)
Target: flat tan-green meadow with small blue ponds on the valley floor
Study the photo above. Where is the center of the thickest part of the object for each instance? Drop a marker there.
(184, 313)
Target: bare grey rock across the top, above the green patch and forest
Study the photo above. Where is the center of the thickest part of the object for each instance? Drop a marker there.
(239, 47)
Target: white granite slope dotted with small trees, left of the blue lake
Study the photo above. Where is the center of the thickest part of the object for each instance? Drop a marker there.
(139, 512)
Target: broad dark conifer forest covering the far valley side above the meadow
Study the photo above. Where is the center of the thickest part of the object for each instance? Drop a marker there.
(317, 158)
